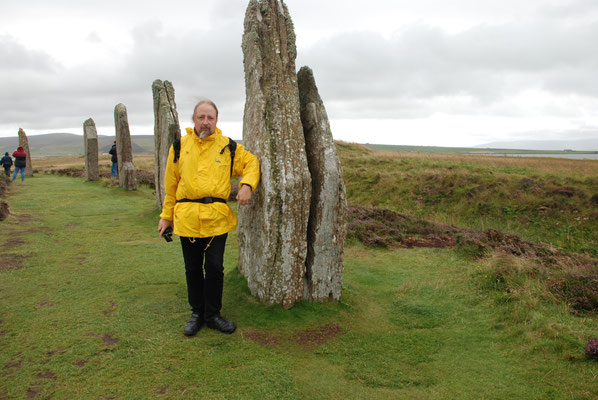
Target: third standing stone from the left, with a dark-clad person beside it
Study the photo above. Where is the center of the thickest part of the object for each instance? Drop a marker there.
(126, 170)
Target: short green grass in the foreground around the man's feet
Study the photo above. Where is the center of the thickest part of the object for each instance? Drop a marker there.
(98, 306)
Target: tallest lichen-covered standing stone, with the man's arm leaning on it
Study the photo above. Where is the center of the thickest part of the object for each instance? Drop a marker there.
(273, 229)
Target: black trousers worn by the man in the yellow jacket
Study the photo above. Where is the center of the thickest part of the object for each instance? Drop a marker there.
(204, 292)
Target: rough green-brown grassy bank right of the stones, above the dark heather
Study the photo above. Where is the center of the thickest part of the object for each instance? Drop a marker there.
(553, 201)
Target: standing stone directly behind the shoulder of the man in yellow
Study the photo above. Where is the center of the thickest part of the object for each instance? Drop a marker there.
(166, 131)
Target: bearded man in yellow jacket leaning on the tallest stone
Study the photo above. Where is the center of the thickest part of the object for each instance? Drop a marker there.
(197, 185)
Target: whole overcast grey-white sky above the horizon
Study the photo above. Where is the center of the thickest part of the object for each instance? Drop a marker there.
(426, 72)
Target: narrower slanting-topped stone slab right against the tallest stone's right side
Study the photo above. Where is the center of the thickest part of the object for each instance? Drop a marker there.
(328, 212)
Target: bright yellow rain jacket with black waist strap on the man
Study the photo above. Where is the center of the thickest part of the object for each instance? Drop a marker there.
(202, 171)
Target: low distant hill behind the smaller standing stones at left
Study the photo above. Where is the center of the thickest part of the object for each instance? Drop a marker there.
(68, 144)
